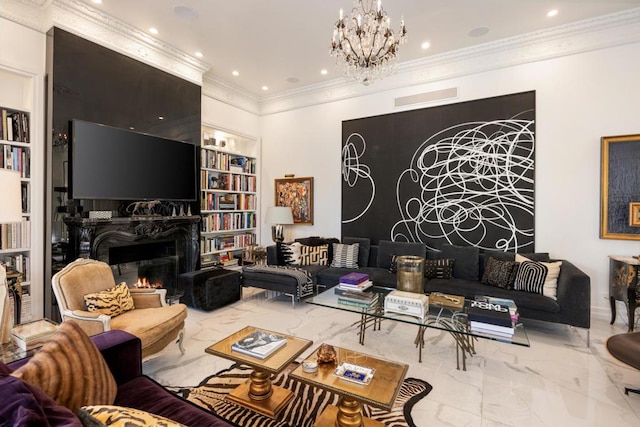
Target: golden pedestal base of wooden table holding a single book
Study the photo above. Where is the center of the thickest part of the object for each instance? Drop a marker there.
(258, 394)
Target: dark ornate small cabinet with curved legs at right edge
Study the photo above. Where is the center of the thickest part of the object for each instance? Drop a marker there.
(623, 285)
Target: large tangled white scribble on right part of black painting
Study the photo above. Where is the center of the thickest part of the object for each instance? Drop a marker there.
(469, 182)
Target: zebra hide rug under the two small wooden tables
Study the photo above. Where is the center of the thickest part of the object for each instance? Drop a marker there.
(302, 411)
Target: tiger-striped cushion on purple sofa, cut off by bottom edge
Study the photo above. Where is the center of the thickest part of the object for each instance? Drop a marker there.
(108, 415)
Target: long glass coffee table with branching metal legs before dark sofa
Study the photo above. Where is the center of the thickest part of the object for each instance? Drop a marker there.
(441, 317)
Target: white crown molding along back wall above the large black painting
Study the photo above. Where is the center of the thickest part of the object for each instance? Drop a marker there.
(597, 33)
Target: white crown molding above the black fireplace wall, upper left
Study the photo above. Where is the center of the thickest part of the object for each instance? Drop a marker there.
(90, 23)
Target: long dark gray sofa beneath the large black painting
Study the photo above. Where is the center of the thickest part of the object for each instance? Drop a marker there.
(572, 307)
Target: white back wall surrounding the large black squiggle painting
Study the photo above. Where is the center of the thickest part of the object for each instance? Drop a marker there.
(579, 99)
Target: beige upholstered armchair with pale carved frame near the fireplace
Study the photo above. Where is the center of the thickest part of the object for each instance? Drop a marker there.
(152, 320)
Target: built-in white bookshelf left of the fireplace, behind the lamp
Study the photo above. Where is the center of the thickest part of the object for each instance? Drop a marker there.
(15, 238)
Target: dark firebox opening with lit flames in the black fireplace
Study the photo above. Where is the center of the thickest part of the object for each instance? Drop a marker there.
(152, 264)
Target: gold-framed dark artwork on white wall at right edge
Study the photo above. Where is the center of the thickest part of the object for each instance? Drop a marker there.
(620, 188)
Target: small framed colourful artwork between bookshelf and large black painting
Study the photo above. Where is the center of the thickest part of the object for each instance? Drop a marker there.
(296, 193)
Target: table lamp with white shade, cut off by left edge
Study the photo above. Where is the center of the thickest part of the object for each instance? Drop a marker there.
(10, 211)
